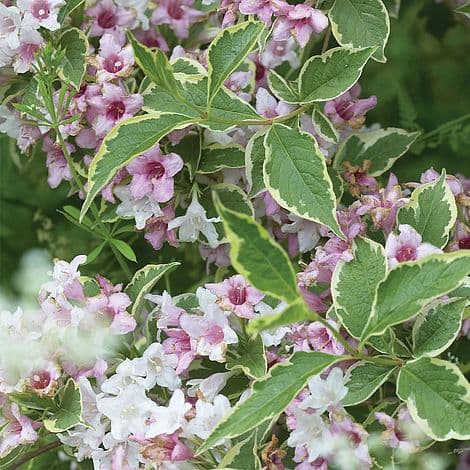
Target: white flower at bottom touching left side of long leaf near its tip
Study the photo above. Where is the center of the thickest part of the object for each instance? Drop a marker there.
(207, 416)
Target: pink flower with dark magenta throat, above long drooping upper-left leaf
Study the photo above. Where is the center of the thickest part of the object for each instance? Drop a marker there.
(112, 106)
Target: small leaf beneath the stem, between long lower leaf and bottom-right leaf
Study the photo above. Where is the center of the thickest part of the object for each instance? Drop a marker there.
(363, 379)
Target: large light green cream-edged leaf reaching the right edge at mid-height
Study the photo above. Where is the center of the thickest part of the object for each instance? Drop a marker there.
(409, 286)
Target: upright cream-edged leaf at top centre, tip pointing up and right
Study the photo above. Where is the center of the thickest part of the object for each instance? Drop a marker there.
(227, 52)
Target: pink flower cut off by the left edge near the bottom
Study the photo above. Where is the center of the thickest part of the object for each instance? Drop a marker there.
(16, 428)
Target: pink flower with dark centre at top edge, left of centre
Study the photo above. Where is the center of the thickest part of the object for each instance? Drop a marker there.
(107, 17)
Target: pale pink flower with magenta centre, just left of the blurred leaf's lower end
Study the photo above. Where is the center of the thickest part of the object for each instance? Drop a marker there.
(236, 295)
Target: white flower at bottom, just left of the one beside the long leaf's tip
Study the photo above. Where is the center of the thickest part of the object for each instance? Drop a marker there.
(169, 419)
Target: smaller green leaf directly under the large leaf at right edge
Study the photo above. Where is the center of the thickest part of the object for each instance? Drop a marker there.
(435, 331)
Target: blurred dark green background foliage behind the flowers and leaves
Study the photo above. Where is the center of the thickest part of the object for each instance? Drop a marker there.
(424, 85)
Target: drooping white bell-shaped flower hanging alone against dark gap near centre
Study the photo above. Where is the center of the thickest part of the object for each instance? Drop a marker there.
(193, 222)
